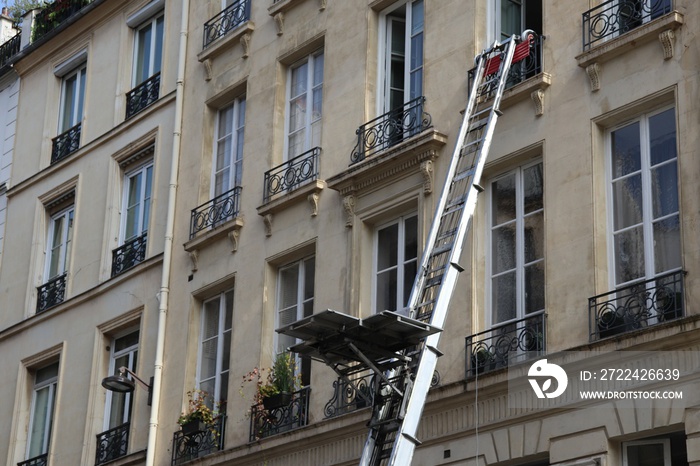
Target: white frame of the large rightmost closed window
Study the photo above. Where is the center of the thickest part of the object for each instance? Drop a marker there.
(647, 215)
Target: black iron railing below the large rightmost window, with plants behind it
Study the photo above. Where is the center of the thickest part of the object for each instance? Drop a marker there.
(636, 306)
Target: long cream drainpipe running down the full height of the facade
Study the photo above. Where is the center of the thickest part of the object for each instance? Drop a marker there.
(168, 240)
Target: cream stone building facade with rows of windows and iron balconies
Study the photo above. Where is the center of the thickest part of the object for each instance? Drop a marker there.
(189, 176)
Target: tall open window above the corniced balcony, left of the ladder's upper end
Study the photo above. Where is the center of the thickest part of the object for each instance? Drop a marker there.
(401, 55)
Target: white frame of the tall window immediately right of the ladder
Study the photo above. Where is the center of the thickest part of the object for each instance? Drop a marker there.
(520, 263)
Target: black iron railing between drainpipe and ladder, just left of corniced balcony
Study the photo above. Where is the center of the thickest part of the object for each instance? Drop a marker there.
(292, 174)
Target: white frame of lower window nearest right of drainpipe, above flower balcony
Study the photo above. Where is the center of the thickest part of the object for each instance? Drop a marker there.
(225, 307)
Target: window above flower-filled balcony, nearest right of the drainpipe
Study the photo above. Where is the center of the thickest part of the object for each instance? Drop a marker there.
(215, 348)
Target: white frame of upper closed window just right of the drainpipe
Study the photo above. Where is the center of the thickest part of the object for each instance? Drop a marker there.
(236, 134)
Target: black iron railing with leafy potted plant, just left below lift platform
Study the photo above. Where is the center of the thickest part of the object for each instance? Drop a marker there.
(264, 423)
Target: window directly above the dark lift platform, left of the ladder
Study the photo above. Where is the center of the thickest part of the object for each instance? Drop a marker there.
(396, 262)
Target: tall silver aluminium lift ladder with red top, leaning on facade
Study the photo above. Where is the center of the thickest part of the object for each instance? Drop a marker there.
(398, 406)
